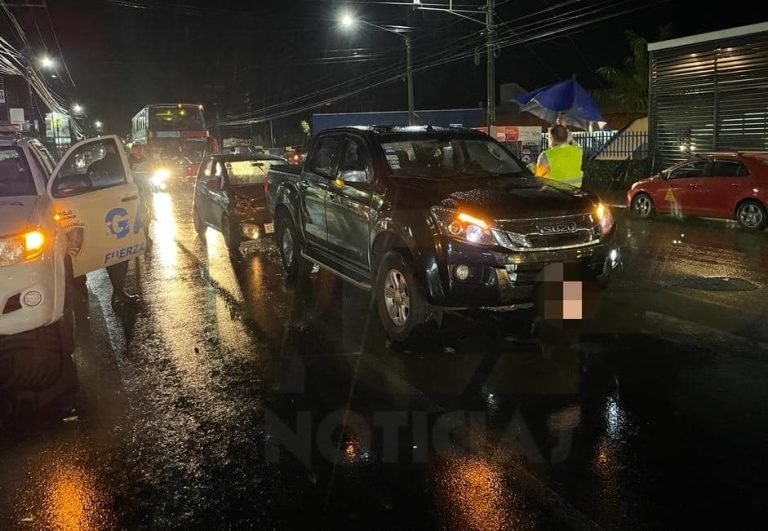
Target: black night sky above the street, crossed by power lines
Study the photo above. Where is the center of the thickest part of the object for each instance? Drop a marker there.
(236, 56)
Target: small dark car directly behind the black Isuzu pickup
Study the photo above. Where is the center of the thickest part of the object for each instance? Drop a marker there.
(229, 196)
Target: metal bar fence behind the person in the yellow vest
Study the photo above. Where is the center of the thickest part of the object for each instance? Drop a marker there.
(609, 145)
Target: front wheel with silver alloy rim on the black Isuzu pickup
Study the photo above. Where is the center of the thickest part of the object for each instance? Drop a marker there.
(400, 301)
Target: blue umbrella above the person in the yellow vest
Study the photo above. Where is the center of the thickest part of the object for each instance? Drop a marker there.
(567, 98)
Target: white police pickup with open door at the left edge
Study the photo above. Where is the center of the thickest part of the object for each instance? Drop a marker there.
(57, 224)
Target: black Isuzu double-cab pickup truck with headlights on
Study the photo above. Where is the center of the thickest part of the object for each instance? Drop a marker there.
(433, 220)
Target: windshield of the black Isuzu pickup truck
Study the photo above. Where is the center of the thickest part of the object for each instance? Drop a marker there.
(439, 158)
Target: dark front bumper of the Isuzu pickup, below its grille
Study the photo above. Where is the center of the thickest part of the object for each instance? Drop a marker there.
(464, 276)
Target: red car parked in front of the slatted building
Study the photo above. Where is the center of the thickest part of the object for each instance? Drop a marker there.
(714, 185)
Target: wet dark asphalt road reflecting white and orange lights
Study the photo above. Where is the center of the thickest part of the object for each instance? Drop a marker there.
(232, 398)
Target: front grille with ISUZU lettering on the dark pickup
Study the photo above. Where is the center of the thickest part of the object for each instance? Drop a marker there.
(551, 233)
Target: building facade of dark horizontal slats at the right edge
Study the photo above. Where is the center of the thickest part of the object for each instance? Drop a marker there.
(708, 92)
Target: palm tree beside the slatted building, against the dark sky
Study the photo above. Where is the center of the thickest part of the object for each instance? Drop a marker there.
(629, 90)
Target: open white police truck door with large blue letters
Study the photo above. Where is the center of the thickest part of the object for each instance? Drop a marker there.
(97, 204)
